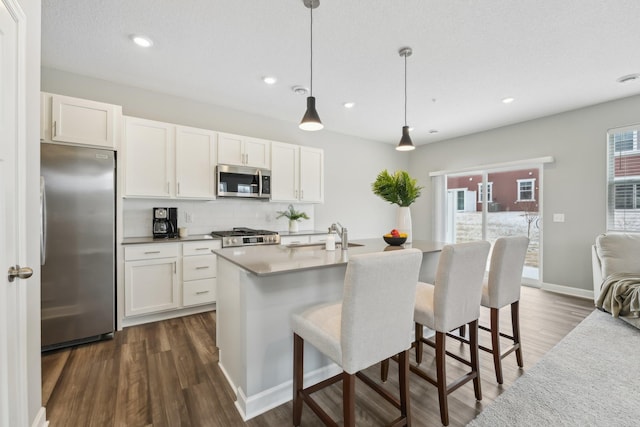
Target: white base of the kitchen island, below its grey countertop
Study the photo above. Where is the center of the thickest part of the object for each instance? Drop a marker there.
(254, 335)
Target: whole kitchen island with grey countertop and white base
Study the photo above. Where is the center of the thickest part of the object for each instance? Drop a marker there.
(258, 289)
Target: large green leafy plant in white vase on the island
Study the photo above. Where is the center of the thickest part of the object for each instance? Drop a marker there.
(399, 189)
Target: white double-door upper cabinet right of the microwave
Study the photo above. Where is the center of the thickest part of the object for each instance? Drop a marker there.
(297, 173)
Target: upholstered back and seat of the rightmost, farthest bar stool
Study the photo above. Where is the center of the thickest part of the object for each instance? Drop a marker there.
(505, 272)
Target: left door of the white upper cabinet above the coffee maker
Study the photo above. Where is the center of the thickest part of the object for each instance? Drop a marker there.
(148, 159)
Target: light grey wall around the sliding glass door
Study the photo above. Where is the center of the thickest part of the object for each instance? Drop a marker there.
(575, 184)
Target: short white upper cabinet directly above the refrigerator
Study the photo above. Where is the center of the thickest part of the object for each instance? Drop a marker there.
(79, 121)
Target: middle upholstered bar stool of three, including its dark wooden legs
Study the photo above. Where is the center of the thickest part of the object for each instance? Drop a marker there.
(452, 301)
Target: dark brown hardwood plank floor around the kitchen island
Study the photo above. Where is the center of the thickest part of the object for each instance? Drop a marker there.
(166, 374)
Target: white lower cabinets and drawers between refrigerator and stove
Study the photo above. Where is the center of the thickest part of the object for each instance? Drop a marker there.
(163, 278)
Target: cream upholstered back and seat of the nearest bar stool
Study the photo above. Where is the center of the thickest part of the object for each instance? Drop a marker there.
(375, 318)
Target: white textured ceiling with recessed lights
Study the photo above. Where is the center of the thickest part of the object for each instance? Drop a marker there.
(550, 55)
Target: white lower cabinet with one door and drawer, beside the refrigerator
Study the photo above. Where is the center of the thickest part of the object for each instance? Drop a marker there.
(151, 279)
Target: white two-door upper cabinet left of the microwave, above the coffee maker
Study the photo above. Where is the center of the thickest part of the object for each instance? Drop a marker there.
(163, 160)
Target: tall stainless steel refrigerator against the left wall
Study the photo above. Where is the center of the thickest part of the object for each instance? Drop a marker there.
(77, 194)
